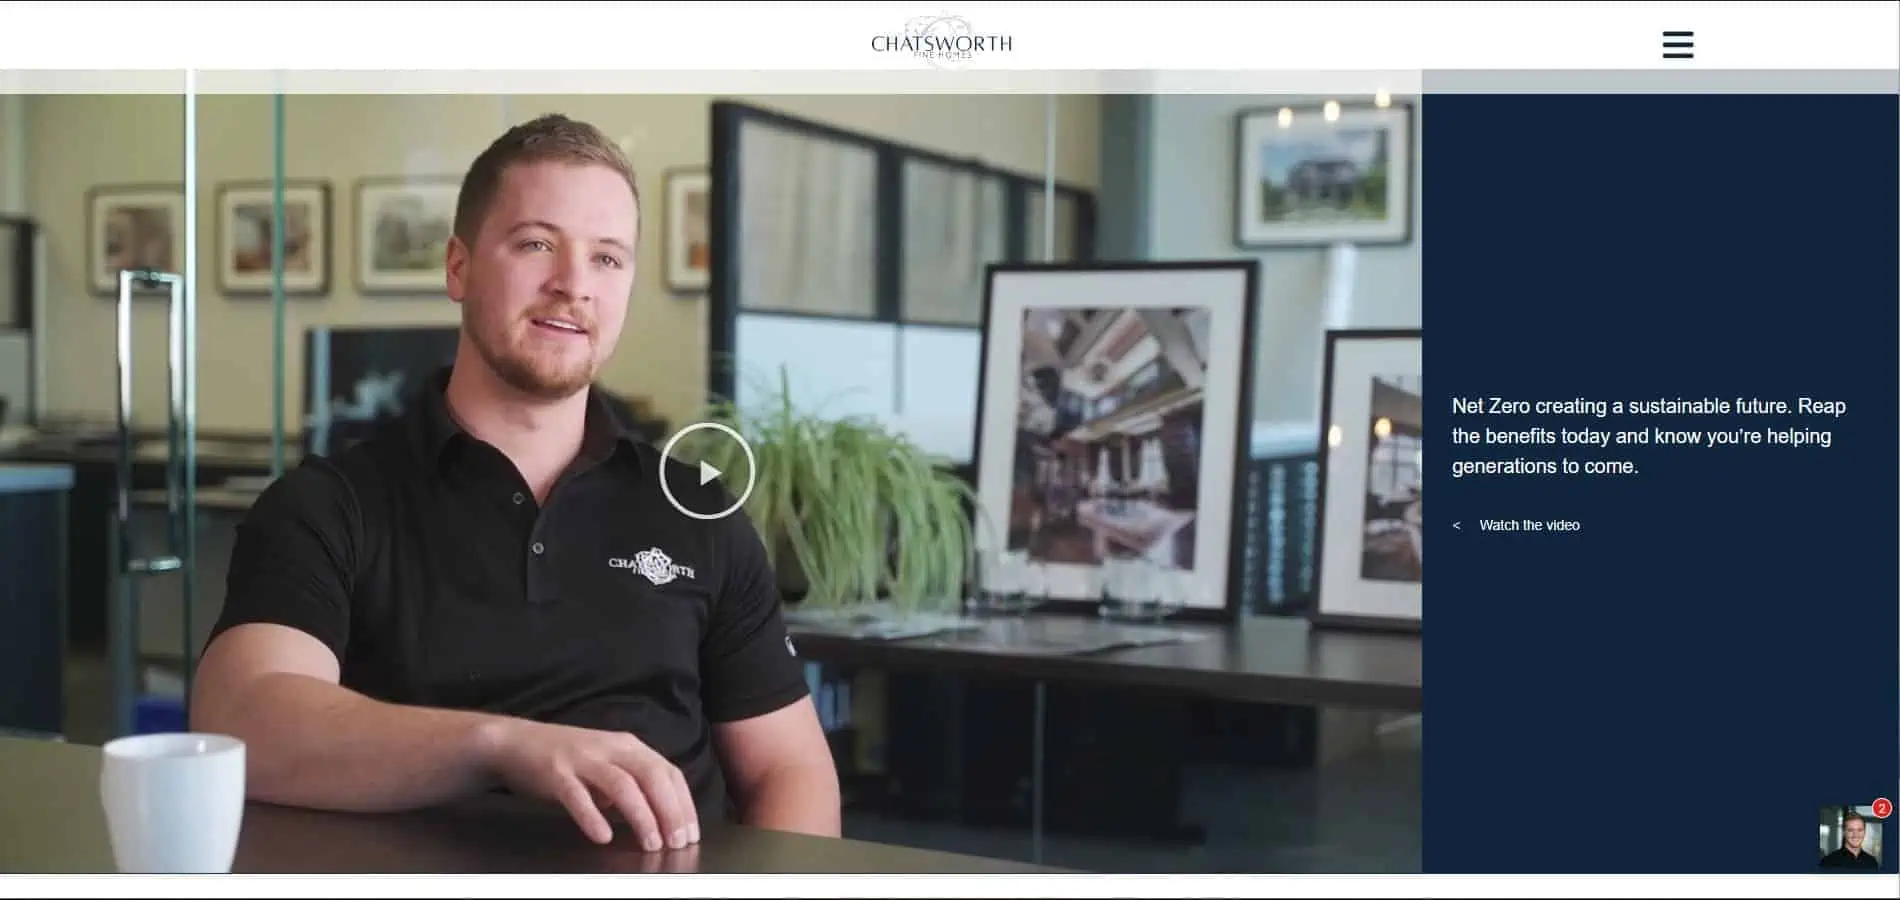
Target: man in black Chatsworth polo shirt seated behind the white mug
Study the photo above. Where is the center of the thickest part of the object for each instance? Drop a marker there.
(493, 591)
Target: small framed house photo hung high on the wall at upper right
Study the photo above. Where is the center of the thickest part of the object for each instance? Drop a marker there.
(1320, 176)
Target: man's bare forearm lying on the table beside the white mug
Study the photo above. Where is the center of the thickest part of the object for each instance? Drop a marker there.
(320, 745)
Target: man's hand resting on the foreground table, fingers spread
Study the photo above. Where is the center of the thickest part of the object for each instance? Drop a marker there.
(586, 770)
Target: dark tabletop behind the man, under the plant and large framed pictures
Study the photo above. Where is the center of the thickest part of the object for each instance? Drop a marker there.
(1259, 660)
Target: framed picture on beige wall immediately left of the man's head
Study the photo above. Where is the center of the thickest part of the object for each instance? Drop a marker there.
(402, 236)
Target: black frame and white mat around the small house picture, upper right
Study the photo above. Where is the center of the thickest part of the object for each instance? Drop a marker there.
(1403, 160)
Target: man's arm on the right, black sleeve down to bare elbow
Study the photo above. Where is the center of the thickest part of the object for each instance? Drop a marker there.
(776, 759)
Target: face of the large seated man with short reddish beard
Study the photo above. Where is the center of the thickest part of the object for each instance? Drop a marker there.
(544, 288)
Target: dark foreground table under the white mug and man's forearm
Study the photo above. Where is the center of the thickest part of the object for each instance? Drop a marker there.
(52, 821)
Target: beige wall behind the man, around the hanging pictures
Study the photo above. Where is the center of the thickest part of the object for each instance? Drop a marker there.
(77, 143)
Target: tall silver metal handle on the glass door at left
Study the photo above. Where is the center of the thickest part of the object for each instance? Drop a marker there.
(178, 422)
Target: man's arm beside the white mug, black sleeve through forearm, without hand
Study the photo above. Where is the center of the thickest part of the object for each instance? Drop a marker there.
(271, 675)
